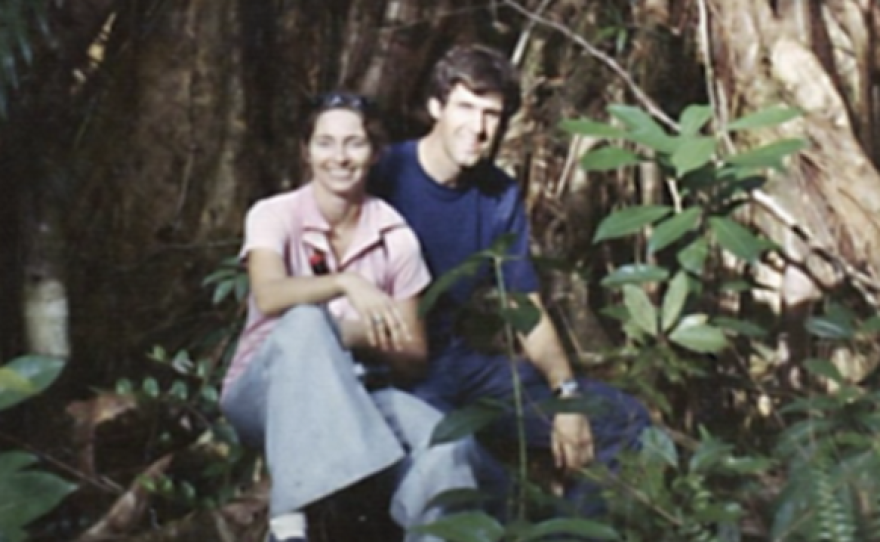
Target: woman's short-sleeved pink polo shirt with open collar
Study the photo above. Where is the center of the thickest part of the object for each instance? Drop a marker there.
(384, 250)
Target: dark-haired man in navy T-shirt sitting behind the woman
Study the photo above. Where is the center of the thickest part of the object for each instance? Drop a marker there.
(458, 204)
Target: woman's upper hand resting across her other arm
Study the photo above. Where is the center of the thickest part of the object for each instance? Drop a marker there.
(385, 327)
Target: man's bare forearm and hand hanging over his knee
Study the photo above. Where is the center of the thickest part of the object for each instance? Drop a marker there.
(572, 439)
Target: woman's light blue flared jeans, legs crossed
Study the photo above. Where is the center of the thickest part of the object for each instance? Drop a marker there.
(301, 400)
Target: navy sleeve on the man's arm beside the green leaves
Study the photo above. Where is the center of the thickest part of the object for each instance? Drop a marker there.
(519, 272)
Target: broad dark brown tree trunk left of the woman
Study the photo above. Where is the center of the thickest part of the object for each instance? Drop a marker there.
(162, 191)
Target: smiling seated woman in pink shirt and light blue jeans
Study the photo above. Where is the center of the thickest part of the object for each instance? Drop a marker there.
(331, 270)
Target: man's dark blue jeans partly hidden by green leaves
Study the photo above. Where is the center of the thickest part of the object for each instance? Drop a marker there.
(460, 376)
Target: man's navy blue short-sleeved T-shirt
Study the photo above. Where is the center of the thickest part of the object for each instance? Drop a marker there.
(453, 223)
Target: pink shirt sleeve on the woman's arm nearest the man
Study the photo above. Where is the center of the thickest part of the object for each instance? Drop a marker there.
(408, 274)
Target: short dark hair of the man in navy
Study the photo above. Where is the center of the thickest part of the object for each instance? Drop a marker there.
(479, 68)
